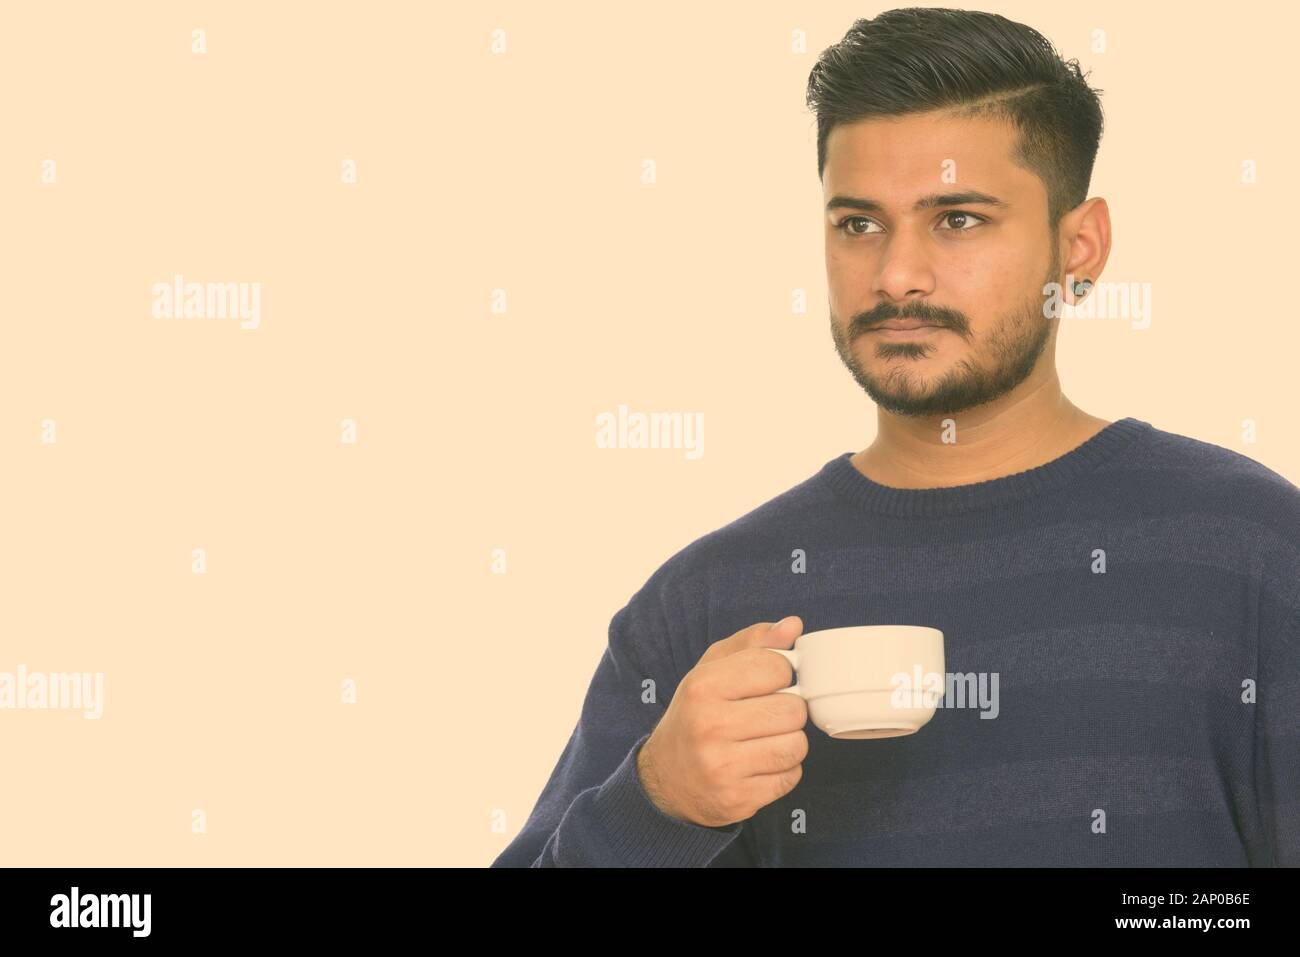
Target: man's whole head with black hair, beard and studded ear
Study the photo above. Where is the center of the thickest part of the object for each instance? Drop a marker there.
(955, 151)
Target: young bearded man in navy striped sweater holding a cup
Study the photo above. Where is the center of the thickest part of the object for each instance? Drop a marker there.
(1125, 600)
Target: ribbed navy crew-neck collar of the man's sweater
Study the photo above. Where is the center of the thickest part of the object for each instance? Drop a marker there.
(843, 477)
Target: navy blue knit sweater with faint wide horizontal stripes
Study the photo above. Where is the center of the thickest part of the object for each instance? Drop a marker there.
(1138, 599)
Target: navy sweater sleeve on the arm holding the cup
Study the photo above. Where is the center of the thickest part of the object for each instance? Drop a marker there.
(595, 811)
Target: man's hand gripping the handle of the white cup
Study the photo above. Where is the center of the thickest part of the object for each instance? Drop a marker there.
(730, 743)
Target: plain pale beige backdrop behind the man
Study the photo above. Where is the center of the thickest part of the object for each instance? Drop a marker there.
(479, 171)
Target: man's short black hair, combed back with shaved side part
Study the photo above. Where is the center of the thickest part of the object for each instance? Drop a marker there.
(969, 63)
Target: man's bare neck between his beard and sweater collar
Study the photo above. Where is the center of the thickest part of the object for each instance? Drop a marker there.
(912, 453)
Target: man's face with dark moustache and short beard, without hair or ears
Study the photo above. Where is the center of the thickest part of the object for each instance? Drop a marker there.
(974, 269)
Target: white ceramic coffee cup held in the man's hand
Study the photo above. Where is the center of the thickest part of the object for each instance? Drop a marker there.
(869, 681)
